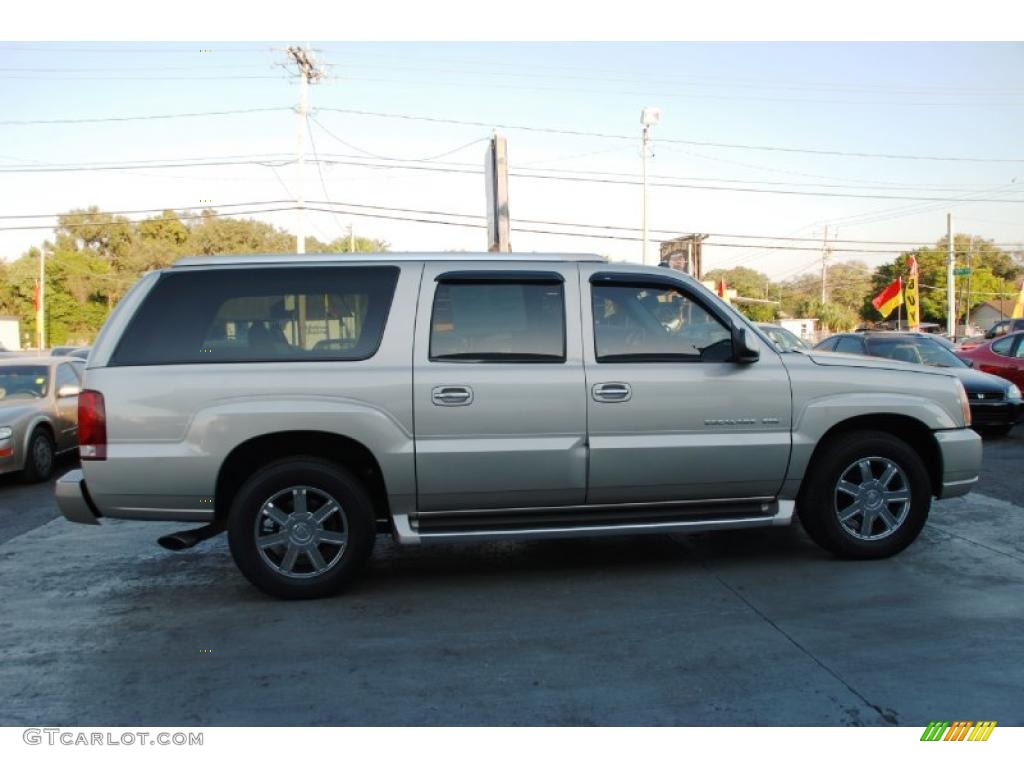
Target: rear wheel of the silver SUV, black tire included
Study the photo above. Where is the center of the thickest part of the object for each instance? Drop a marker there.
(267, 567)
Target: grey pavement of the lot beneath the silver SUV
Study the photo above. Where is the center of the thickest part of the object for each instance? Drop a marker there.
(101, 627)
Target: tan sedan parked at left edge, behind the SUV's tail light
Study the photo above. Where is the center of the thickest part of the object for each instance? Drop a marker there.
(38, 413)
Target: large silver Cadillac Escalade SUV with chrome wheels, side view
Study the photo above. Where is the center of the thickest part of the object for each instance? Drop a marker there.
(307, 404)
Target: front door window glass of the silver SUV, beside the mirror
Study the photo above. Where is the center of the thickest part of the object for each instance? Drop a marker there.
(653, 323)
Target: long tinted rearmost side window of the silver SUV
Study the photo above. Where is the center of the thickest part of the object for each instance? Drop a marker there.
(257, 316)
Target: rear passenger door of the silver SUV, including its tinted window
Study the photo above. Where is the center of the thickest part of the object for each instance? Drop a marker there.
(500, 406)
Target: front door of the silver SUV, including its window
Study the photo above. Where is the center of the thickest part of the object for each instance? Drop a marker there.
(671, 416)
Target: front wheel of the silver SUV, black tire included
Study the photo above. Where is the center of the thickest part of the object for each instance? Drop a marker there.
(823, 503)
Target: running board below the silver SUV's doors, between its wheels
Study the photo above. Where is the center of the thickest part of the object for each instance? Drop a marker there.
(508, 525)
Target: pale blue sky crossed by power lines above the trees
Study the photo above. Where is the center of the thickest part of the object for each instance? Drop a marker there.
(934, 101)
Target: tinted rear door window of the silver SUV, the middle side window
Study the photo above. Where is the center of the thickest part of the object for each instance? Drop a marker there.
(502, 322)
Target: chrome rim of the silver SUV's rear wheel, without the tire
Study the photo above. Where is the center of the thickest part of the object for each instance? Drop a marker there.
(302, 532)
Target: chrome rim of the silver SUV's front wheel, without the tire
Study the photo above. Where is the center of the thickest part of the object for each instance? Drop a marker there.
(873, 498)
